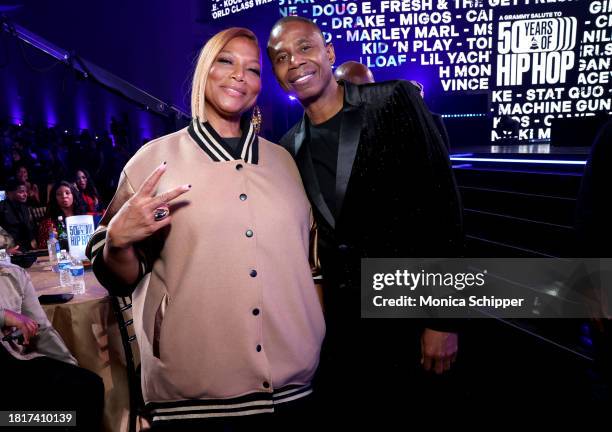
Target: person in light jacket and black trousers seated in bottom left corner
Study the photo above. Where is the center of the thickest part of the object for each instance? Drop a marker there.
(39, 373)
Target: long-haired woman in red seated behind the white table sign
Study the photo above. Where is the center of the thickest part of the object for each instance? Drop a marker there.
(65, 201)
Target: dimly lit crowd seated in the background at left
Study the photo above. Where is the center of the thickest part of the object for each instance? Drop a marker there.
(47, 172)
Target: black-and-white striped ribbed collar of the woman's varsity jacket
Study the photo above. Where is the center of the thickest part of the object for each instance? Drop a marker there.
(216, 148)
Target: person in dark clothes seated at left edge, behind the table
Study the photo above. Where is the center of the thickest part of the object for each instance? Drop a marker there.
(15, 216)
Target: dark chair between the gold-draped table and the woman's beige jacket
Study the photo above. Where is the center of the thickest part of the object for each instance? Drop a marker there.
(122, 309)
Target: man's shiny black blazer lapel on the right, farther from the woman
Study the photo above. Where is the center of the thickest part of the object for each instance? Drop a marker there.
(350, 131)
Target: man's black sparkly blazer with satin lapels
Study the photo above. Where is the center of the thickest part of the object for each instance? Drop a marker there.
(396, 195)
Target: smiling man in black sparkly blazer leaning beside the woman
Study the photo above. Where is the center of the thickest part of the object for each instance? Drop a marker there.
(381, 185)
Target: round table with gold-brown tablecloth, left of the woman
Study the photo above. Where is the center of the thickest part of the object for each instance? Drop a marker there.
(90, 330)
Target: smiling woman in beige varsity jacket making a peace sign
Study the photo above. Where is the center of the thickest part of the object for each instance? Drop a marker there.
(209, 231)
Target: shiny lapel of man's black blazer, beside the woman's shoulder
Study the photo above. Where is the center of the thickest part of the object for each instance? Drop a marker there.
(303, 159)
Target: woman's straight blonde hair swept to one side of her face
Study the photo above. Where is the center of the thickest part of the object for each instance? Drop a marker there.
(207, 56)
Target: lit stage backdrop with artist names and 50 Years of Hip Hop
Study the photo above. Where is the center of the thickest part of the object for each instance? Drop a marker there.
(529, 60)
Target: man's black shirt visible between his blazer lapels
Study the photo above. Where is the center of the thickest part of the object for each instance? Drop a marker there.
(324, 139)
